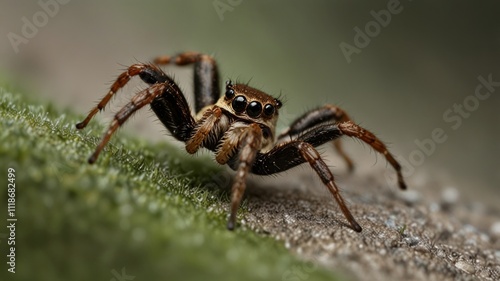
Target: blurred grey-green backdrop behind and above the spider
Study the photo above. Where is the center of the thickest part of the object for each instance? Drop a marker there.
(424, 61)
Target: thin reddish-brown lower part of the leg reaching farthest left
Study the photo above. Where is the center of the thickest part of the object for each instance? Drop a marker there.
(149, 73)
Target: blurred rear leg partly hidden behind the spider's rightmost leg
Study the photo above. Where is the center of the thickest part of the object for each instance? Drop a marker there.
(315, 117)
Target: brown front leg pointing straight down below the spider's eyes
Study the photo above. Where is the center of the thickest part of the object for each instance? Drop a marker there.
(250, 141)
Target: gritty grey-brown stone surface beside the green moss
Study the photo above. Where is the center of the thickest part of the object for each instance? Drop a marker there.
(426, 233)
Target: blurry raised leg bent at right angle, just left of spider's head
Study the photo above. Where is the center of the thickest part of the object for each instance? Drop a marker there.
(206, 76)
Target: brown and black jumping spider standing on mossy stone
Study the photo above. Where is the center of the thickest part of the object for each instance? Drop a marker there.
(239, 126)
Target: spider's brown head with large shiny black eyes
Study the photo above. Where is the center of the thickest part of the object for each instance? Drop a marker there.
(249, 104)
